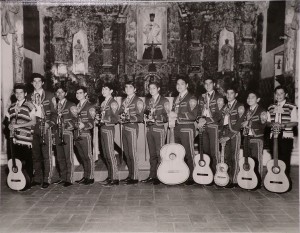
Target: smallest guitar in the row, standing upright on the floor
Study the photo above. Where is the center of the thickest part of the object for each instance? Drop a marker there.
(221, 177)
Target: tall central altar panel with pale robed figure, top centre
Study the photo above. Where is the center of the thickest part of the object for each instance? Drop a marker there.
(152, 33)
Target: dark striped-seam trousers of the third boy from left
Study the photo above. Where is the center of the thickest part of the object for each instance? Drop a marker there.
(64, 157)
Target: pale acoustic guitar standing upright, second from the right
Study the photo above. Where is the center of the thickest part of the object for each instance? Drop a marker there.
(246, 178)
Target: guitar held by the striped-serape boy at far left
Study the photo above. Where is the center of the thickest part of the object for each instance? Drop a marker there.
(16, 179)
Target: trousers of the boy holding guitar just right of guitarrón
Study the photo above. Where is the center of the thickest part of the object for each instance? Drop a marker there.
(211, 144)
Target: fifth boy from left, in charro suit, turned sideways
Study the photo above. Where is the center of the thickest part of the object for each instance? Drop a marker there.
(106, 121)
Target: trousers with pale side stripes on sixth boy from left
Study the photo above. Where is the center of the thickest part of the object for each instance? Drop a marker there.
(129, 136)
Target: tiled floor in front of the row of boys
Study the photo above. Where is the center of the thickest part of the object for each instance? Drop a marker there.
(147, 208)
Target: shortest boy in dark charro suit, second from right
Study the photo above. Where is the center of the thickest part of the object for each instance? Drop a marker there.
(255, 122)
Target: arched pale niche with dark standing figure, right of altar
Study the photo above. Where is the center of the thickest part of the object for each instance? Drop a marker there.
(226, 51)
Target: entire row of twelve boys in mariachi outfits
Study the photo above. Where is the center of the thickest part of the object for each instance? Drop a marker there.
(48, 114)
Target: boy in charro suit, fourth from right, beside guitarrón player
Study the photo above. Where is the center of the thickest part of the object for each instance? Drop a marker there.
(209, 117)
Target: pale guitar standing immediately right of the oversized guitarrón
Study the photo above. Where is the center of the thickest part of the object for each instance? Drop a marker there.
(202, 173)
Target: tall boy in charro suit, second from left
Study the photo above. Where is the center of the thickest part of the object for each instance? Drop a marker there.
(42, 154)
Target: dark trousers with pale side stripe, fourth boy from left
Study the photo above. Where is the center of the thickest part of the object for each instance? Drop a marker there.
(85, 152)
